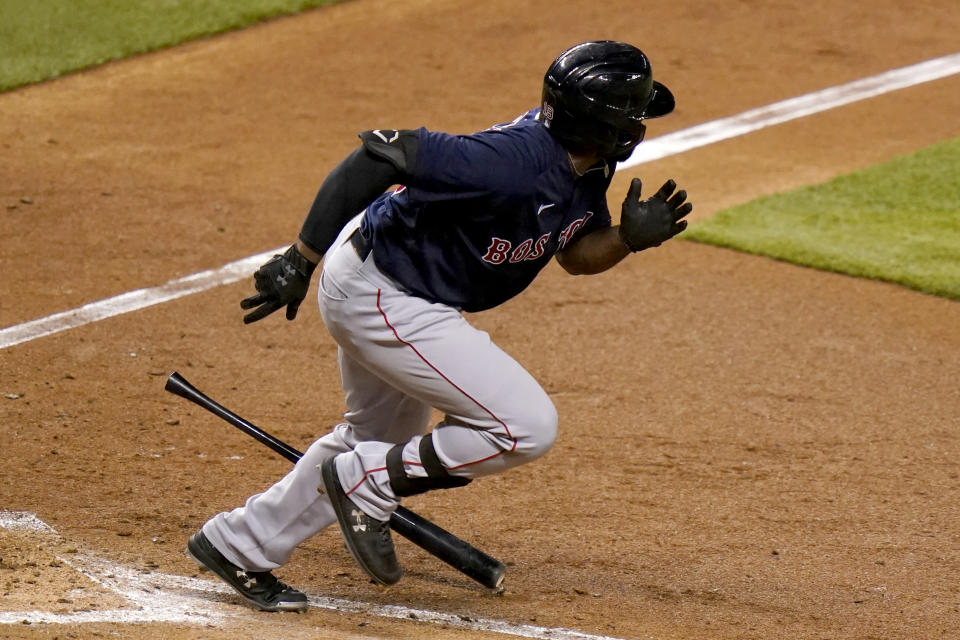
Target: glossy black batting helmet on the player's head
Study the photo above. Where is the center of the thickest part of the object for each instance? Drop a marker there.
(596, 96)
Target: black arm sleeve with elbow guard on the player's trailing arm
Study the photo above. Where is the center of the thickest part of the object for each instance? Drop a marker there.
(365, 174)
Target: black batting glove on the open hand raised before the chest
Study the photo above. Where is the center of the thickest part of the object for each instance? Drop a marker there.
(651, 222)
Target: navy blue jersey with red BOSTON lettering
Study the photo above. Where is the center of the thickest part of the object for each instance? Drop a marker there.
(482, 214)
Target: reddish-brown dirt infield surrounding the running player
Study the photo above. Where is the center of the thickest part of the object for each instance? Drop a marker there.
(747, 449)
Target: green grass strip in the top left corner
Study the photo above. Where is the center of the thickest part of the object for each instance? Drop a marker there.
(43, 39)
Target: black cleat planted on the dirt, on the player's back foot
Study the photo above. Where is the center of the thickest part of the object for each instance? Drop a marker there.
(259, 588)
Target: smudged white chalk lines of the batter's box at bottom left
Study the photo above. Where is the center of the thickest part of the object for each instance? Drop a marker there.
(160, 597)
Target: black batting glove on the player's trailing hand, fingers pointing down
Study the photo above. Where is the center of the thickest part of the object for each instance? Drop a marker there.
(281, 281)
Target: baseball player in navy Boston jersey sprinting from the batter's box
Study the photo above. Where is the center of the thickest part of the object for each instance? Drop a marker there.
(475, 219)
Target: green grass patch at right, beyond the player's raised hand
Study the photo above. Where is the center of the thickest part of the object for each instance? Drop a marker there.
(897, 222)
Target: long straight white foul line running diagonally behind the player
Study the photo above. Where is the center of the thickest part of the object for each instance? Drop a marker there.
(653, 149)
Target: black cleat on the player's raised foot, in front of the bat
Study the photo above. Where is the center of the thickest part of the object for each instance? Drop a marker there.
(368, 539)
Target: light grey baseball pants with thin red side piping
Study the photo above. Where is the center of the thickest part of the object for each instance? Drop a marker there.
(399, 357)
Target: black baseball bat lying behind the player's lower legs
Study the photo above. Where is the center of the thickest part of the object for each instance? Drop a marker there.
(459, 554)
